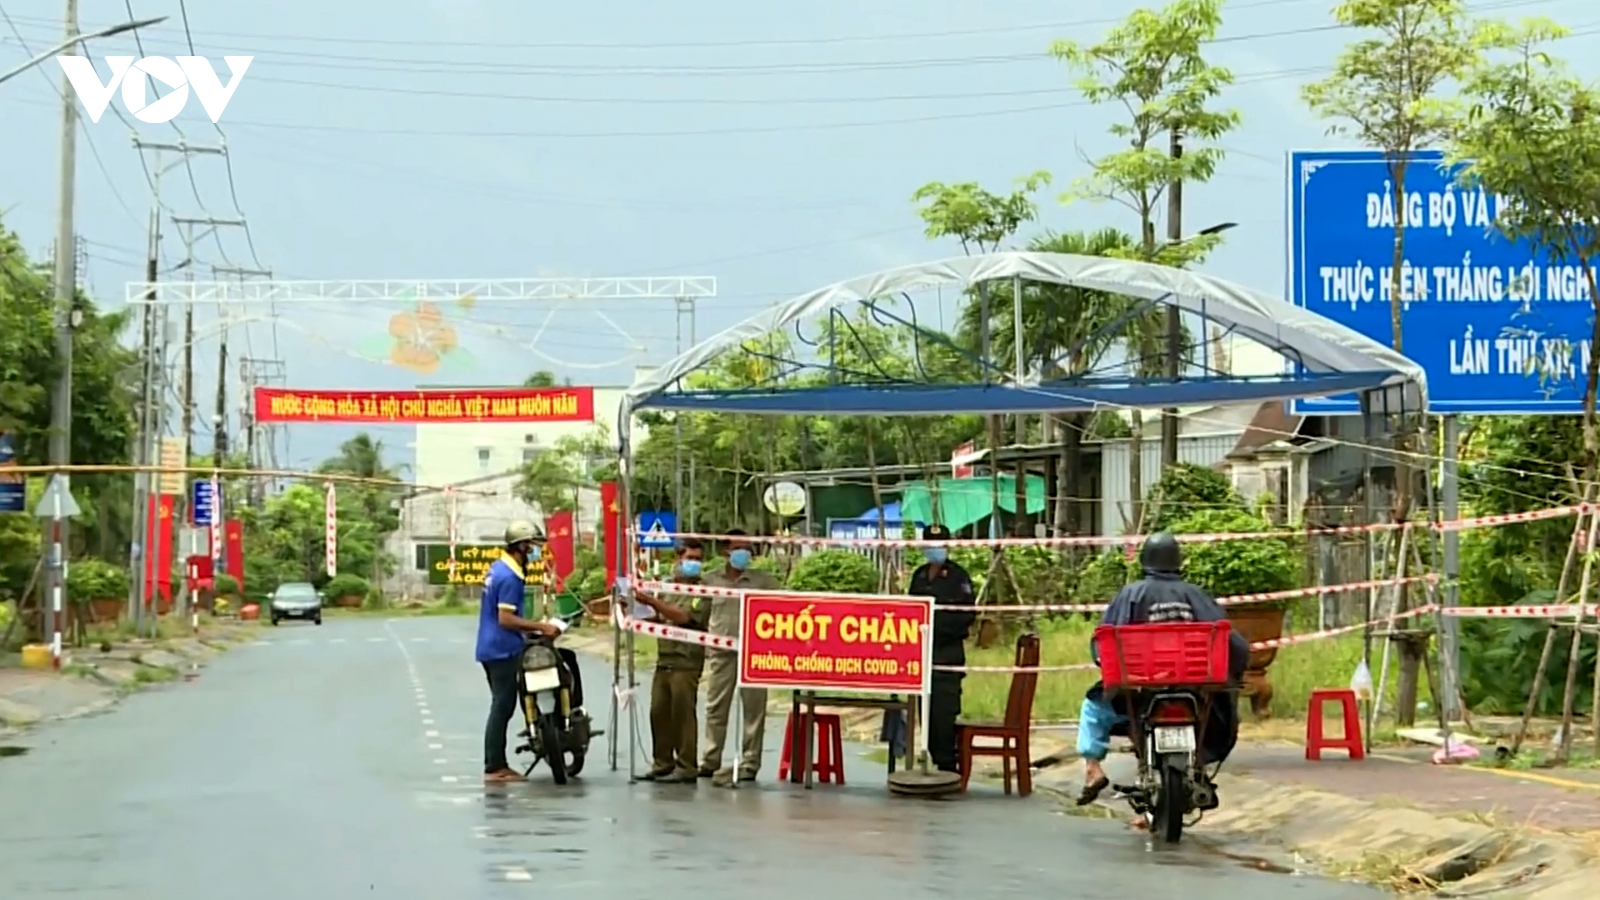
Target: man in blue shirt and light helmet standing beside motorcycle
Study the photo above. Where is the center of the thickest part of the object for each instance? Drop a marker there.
(502, 640)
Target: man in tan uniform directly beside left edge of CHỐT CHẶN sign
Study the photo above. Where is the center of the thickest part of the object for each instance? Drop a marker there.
(722, 675)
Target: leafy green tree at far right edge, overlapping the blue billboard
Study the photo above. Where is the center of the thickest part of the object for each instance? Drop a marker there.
(1534, 139)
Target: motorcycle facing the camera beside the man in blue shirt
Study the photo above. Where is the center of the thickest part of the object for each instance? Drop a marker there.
(558, 734)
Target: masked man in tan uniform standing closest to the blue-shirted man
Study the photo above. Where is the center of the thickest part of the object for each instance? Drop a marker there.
(674, 691)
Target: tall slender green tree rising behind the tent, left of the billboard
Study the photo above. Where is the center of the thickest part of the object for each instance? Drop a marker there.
(1153, 65)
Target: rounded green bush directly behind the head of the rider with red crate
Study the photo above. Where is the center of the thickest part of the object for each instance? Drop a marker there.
(1238, 568)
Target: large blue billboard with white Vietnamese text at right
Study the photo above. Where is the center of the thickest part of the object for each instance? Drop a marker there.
(1498, 327)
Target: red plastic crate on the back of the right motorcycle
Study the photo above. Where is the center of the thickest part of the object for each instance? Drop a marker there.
(1164, 656)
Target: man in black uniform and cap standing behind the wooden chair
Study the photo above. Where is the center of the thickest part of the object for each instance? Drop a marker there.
(950, 585)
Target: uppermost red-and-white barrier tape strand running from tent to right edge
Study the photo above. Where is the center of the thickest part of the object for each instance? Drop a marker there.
(1129, 540)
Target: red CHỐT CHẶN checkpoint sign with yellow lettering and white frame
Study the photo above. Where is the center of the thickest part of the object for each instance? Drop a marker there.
(878, 645)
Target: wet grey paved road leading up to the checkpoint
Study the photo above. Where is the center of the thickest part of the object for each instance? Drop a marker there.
(345, 761)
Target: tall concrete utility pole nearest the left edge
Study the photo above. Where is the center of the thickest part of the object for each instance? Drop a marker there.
(66, 281)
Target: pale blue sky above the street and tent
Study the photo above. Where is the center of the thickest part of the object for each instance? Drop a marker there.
(774, 147)
